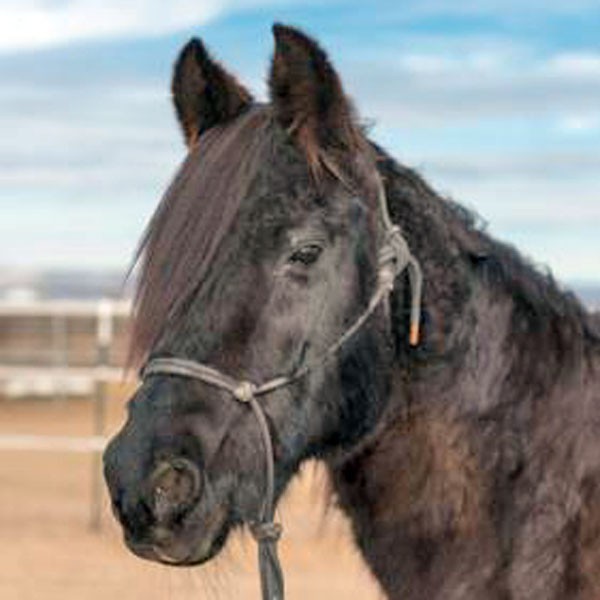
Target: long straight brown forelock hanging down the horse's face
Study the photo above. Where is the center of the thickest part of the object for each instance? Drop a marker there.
(191, 220)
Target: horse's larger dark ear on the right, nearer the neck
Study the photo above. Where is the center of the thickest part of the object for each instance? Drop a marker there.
(308, 98)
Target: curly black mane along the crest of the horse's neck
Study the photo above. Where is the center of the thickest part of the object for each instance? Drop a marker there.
(542, 307)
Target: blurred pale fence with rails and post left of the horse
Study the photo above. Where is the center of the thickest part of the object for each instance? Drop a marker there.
(60, 348)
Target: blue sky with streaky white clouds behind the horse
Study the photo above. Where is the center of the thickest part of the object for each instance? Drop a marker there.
(496, 102)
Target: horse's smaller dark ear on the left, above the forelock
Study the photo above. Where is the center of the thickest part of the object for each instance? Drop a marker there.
(204, 93)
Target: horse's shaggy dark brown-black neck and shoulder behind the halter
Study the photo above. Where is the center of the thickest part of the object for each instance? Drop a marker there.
(478, 483)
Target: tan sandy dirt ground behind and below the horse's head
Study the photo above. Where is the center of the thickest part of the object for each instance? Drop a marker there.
(48, 550)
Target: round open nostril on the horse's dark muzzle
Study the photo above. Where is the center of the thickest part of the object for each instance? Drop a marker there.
(175, 485)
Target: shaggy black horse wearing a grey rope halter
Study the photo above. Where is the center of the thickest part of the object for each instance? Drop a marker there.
(468, 464)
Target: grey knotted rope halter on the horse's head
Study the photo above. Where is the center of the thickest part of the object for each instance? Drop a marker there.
(394, 258)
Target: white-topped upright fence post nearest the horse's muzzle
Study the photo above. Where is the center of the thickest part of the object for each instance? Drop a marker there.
(104, 337)
